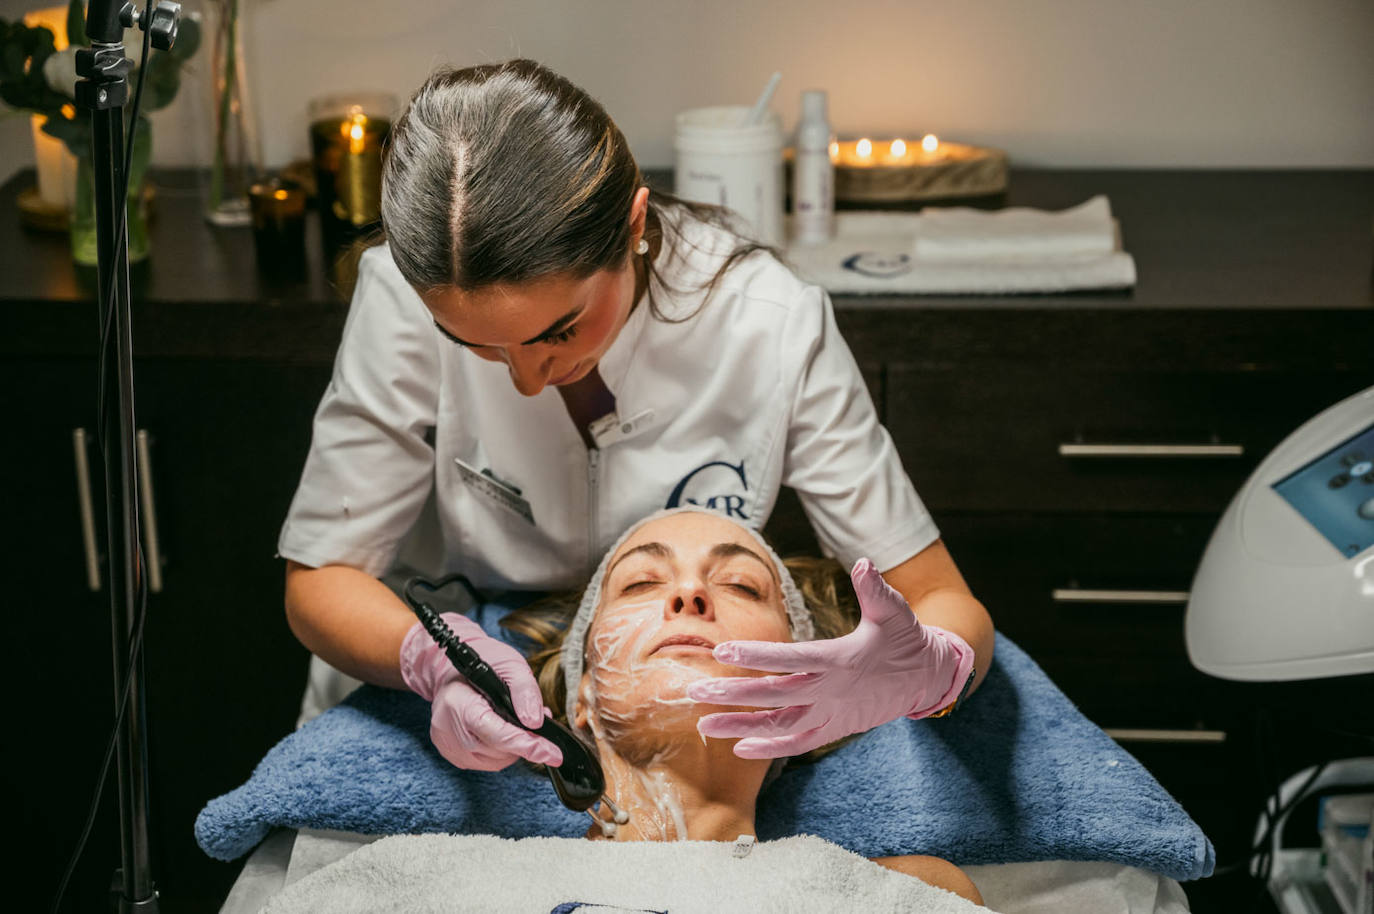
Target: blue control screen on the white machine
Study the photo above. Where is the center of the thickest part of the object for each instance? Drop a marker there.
(1336, 494)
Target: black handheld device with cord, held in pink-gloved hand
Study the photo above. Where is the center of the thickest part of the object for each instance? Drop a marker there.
(579, 781)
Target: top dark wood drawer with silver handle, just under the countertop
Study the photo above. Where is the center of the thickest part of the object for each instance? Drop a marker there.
(1067, 441)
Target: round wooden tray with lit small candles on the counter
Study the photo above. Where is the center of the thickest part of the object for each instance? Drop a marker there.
(898, 170)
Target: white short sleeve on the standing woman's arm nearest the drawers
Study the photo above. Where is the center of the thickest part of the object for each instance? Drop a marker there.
(840, 460)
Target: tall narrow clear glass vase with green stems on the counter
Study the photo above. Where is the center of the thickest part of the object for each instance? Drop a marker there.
(234, 155)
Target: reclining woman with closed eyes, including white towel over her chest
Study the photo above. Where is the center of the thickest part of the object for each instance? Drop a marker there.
(675, 586)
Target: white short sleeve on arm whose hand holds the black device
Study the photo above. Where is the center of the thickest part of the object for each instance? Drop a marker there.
(372, 465)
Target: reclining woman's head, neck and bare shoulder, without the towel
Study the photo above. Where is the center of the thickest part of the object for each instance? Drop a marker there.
(677, 586)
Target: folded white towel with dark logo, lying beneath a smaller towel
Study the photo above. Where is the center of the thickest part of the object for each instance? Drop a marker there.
(872, 254)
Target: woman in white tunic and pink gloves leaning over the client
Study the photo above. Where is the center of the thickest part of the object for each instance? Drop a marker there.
(543, 354)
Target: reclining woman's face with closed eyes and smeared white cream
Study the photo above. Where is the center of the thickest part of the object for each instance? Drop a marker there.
(677, 589)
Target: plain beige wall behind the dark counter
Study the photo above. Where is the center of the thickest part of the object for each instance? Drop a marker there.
(1056, 83)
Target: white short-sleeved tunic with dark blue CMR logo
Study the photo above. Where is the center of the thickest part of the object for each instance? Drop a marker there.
(425, 457)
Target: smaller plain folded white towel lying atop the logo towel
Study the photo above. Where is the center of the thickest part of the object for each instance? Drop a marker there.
(962, 233)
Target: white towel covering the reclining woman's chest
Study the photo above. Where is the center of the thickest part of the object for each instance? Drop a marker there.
(538, 876)
